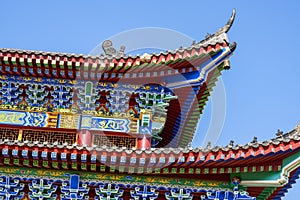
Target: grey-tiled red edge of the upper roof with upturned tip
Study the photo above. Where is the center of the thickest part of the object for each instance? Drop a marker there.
(219, 37)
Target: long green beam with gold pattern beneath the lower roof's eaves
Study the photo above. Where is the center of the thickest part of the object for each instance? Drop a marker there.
(115, 177)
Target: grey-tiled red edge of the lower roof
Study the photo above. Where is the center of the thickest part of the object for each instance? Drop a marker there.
(283, 143)
